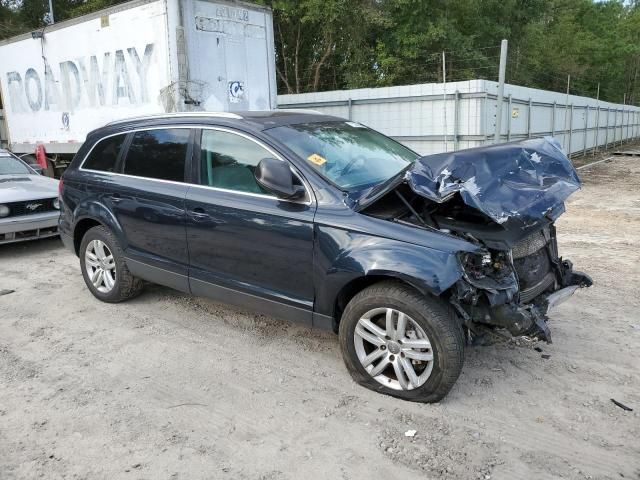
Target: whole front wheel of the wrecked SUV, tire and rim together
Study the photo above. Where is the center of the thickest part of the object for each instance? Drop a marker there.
(433, 322)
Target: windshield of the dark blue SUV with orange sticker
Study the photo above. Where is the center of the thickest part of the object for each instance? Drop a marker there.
(348, 154)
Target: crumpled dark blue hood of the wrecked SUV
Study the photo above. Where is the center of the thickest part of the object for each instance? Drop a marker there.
(516, 184)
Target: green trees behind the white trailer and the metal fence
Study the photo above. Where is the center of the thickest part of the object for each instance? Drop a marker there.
(341, 44)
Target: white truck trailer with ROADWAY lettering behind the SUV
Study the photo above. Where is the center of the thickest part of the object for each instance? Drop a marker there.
(137, 58)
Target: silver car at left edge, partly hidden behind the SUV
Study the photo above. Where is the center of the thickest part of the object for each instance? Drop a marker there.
(29, 205)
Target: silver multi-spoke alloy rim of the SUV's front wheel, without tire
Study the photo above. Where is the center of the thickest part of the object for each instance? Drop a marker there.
(393, 349)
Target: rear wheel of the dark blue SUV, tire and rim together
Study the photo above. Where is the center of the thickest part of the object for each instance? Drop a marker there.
(104, 269)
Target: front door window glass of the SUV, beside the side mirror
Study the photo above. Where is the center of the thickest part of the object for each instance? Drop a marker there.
(228, 161)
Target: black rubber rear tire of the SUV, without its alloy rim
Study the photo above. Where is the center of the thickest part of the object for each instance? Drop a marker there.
(126, 285)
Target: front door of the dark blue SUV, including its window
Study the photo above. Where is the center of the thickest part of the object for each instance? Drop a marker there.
(245, 245)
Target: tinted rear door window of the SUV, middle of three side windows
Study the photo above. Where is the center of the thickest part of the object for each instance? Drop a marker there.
(158, 154)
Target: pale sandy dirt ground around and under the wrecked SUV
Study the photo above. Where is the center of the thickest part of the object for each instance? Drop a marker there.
(172, 387)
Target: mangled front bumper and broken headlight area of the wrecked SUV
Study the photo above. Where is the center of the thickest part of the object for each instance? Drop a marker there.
(487, 303)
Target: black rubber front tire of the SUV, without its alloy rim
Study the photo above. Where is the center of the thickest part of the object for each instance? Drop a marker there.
(438, 320)
